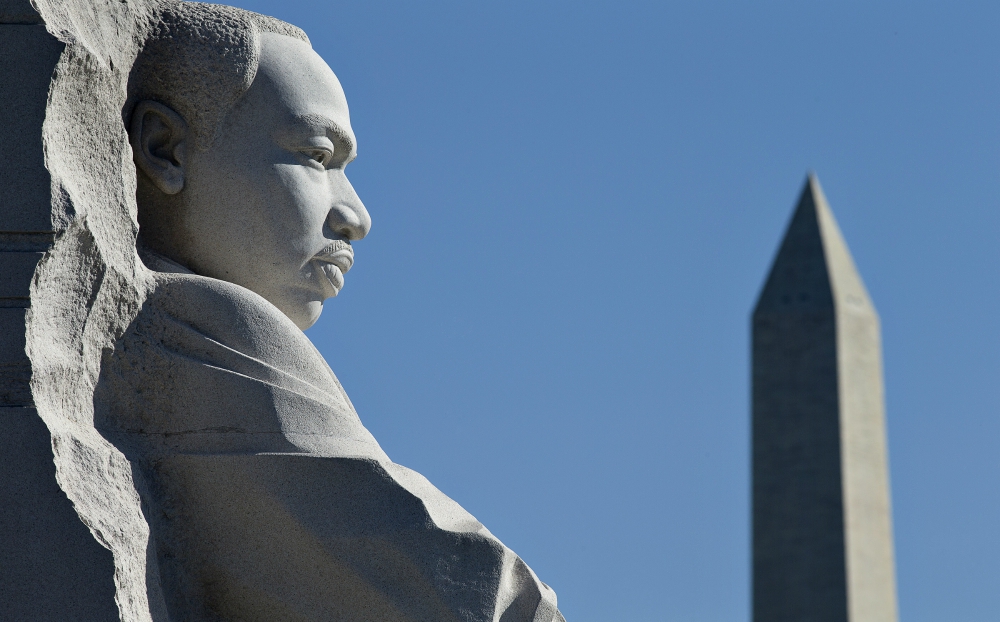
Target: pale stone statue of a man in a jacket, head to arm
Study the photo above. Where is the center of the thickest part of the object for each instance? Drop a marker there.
(266, 497)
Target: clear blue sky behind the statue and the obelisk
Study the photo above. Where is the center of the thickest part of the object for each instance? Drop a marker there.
(575, 204)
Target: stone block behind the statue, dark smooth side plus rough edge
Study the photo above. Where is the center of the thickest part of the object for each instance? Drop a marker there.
(72, 518)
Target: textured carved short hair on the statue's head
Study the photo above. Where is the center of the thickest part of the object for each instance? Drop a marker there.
(199, 60)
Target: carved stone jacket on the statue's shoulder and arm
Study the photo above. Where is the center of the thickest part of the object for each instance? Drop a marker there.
(267, 498)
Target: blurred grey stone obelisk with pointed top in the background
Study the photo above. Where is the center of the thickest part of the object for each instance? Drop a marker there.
(822, 526)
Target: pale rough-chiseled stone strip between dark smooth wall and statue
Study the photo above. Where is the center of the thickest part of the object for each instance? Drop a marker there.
(90, 285)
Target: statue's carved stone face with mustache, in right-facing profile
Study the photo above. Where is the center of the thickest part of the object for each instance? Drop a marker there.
(268, 206)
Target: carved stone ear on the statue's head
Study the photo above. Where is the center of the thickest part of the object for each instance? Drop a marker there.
(159, 138)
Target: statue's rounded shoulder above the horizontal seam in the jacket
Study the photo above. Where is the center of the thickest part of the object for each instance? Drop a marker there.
(209, 366)
